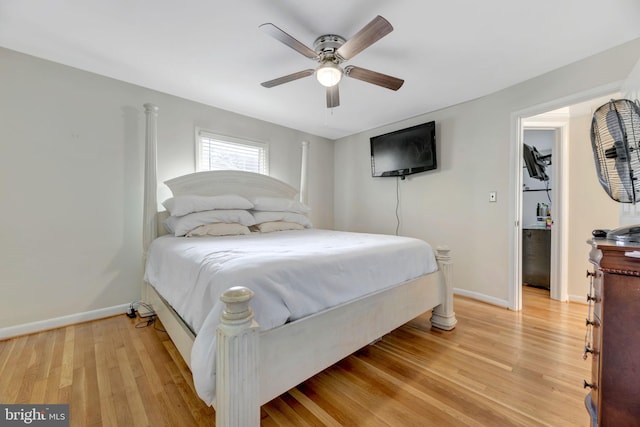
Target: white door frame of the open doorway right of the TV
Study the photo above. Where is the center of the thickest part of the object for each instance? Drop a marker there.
(559, 198)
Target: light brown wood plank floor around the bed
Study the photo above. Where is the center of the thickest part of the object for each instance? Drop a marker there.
(497, 368)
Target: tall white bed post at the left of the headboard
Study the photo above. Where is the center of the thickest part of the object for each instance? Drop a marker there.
(150, 208)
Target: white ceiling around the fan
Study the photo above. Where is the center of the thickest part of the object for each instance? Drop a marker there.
(213, 52)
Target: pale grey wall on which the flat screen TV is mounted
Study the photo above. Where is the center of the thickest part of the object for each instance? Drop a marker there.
(451, 206)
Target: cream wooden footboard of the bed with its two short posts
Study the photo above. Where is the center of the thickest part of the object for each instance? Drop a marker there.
(254, 367)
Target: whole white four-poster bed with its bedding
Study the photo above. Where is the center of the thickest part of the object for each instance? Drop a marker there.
(241, 360)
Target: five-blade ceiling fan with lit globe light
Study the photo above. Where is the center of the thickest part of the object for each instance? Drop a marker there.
(330, 51)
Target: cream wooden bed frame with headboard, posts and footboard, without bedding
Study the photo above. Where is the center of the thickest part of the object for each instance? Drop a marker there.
(253, 366)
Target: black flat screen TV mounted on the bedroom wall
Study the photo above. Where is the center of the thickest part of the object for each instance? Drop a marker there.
(404, 152)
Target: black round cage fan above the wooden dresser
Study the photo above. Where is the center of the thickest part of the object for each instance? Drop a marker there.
(615, 140)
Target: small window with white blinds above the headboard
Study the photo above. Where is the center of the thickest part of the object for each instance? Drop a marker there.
(216, 152)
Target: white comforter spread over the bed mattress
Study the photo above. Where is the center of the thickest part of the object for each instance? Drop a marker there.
(292, 273)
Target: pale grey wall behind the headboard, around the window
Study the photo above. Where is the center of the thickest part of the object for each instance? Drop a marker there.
(71, 174)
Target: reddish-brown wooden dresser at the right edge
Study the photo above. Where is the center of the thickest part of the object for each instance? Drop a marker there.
(613, 334)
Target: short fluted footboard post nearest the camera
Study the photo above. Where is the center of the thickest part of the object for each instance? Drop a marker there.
(237, 379)
